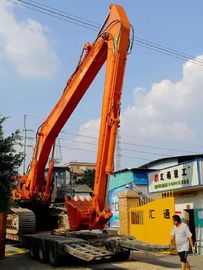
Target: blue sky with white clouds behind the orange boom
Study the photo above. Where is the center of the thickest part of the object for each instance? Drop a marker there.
(162, 95)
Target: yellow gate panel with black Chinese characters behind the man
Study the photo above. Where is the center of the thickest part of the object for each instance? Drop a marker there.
(151, 222)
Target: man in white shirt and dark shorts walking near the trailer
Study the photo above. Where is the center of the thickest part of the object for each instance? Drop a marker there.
(183, 238)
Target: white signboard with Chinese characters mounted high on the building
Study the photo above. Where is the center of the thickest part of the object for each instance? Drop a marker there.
(176, 177)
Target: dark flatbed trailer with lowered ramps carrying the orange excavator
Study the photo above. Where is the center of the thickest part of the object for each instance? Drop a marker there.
(84, 245)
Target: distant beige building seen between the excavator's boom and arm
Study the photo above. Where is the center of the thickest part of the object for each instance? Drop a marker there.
(78, 169)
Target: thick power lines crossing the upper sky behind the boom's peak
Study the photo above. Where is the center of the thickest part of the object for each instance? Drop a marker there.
(50, 11)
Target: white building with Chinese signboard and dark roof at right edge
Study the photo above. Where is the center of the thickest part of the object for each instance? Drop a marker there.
(182, 177)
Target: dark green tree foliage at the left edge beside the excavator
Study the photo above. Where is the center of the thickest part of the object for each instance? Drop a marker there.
(10, 160)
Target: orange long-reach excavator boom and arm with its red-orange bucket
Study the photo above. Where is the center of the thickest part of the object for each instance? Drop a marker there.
(111, 45)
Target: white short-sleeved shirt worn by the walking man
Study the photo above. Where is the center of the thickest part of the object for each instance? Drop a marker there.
(181, 233)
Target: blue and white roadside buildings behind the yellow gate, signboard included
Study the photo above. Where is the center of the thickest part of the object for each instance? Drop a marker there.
(179, 176)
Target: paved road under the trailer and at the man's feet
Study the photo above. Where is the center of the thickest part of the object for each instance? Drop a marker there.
(17, 259)
